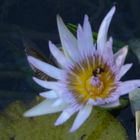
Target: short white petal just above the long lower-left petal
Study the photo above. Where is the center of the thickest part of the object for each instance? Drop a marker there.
(49, 94)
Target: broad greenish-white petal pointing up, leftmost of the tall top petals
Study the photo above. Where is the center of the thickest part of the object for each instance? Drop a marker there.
(64, 32)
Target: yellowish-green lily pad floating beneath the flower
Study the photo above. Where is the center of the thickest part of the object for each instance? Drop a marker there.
(101, 125)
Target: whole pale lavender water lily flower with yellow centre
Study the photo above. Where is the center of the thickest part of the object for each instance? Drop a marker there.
(88, 74)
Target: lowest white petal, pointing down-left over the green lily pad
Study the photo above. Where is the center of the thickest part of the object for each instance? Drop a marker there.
(81, 117)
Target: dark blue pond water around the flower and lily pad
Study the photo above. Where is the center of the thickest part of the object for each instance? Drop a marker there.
(36, 21)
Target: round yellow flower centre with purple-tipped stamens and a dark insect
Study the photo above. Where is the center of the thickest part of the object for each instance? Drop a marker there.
(91, 78)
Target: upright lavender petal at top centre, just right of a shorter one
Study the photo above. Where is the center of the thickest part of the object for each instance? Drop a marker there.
(88, 34)
